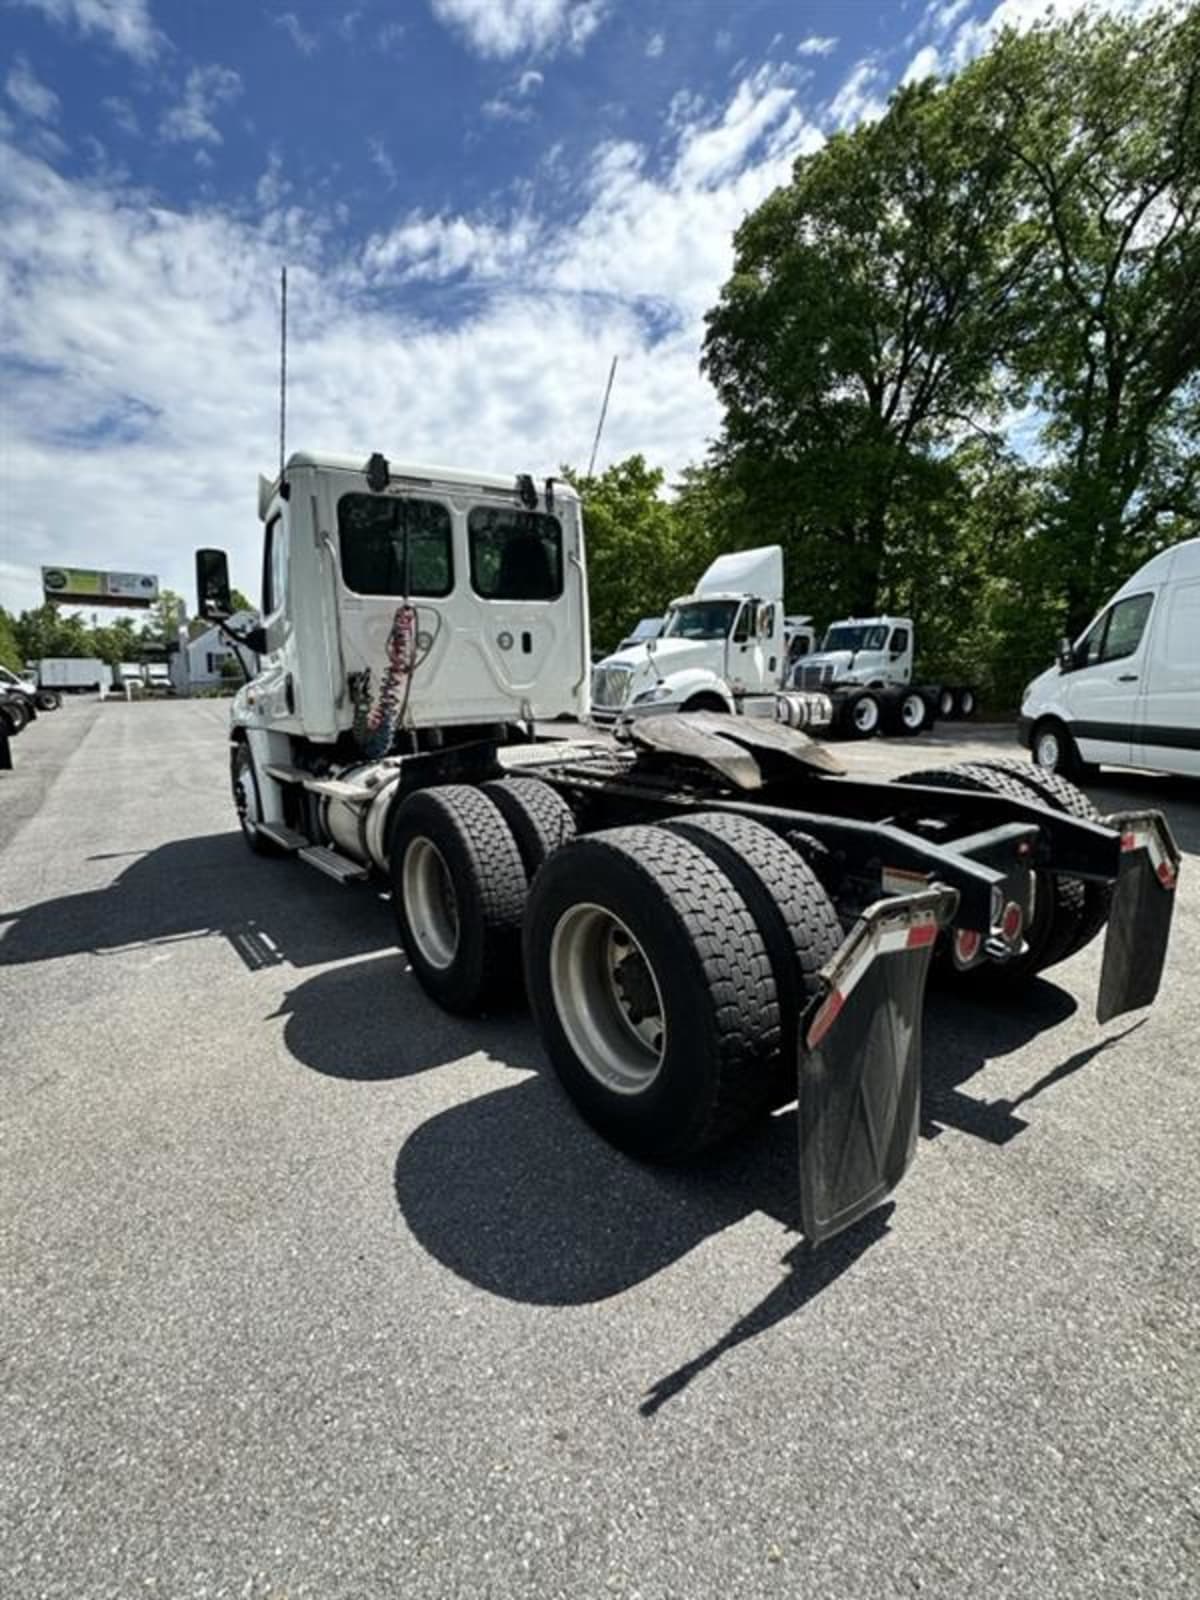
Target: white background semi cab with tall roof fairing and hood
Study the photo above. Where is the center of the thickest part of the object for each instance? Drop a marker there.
(719, 646)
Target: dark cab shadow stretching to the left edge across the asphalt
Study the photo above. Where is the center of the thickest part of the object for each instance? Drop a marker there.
(270, 911)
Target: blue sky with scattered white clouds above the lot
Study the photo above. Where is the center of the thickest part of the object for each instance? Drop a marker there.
(481, 202)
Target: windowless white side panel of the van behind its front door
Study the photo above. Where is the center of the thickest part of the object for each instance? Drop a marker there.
(1169, 716)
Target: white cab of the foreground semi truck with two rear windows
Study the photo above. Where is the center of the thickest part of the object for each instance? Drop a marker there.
(406, 598)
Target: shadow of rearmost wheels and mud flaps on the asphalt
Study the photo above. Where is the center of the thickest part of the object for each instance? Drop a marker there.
(514, 1194)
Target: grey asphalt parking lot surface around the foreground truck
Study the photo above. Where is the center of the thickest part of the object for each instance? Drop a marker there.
(313, 1292)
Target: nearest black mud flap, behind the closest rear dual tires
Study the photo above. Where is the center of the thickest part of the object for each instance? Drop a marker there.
(862, 1063)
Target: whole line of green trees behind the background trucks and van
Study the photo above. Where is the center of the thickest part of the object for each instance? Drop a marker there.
(959, 359)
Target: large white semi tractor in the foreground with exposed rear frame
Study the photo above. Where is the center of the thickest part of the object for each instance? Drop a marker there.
(708, 918)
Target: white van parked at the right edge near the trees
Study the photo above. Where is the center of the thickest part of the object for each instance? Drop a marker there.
(1127, 692)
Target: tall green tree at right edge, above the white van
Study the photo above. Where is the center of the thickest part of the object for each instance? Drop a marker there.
(1102, 121)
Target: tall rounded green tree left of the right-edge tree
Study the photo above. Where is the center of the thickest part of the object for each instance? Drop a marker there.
(860, 334)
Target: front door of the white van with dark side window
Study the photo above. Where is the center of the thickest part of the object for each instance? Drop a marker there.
(1105, 686)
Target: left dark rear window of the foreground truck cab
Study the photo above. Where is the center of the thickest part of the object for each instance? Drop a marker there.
(393, 546)
